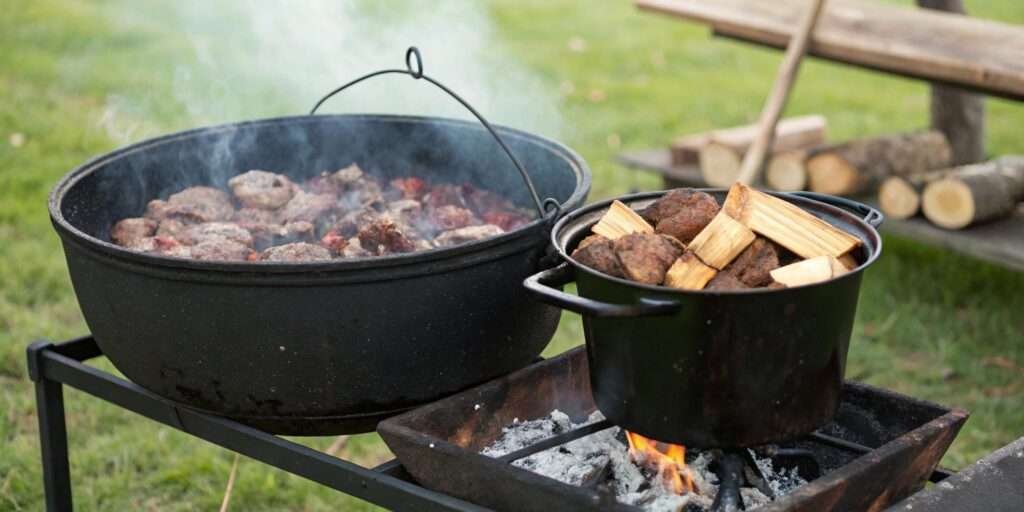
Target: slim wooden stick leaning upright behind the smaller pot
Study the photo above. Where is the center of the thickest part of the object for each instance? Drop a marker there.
(754, 160)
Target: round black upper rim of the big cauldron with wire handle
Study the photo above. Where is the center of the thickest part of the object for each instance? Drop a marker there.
(228, 269)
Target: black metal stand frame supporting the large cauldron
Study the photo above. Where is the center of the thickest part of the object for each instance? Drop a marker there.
(54, 366)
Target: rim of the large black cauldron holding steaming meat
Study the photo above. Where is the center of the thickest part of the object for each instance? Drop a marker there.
(391, 267)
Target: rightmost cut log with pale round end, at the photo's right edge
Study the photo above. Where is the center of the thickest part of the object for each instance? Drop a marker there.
(974, 194)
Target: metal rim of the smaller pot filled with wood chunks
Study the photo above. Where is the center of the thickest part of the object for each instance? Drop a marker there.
(577, 225)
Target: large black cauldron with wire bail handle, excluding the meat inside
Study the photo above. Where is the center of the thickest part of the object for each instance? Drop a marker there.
(317, 349)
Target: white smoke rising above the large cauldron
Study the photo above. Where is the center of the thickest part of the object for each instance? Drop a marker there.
(249, 60)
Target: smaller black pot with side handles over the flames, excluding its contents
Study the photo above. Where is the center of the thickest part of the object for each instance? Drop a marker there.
(714, 369)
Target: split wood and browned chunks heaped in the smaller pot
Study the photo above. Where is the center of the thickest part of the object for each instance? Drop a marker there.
(686, 240)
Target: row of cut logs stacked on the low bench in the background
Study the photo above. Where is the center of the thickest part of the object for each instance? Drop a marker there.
(912, 173)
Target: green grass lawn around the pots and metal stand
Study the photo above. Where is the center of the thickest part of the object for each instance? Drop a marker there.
(931, 324)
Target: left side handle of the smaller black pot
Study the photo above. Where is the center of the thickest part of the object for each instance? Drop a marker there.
(547, 285)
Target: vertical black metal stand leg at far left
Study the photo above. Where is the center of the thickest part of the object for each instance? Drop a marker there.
(53, 436)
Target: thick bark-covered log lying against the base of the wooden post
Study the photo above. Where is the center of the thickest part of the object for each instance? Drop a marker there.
(861, 165)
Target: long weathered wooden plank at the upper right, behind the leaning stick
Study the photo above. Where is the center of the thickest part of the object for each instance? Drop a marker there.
(937, 47)
